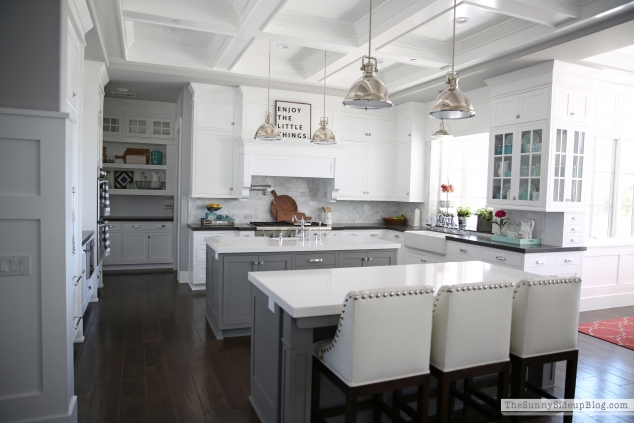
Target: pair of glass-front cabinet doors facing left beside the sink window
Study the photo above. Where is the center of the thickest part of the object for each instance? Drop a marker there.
(515, 171)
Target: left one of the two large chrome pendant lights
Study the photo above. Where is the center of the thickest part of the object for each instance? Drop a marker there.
(368, 92)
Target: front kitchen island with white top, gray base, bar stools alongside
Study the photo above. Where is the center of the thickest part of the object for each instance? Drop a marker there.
(293, 310)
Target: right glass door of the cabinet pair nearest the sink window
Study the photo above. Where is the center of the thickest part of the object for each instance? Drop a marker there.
(530, 172)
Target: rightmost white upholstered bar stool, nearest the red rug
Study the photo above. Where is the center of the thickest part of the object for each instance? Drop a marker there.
(544, 330)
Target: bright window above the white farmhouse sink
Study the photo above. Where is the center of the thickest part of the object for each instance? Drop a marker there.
(465, 163)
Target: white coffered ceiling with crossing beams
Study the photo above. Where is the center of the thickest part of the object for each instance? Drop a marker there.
(226, 41)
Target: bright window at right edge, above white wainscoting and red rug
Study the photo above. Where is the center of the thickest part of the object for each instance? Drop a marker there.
(611, 180)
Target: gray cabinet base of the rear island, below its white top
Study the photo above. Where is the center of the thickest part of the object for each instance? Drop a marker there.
(228, 290)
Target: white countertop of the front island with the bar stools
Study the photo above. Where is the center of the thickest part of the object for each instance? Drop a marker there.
(311, 293)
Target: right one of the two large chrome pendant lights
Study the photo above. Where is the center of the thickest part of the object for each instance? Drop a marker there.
(452, 103)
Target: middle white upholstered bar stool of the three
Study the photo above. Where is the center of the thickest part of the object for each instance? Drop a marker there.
(470, 338)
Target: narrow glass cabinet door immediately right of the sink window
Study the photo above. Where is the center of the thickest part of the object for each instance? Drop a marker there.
(502, 166)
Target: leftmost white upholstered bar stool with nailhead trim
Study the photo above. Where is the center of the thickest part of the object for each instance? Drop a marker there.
(382, 343)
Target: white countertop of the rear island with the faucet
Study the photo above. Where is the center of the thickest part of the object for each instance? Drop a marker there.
(230, 245)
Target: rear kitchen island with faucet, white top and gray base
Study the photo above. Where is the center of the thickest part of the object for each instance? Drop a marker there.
(230, 260)
